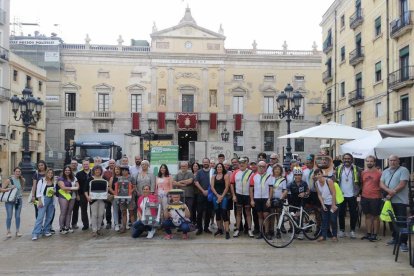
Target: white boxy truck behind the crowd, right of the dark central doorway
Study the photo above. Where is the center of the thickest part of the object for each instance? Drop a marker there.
(199, 150)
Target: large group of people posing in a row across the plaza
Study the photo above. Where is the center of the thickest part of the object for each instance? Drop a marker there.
(206, 193)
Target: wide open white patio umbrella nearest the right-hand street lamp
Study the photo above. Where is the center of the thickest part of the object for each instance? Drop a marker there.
(329, 130)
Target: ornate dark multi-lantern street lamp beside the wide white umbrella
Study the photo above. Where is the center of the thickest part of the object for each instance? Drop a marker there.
(285, 99)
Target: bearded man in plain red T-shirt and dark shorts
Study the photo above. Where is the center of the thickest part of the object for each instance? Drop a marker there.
(371, 198)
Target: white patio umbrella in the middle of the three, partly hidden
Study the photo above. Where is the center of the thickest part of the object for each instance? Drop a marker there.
(363, 147)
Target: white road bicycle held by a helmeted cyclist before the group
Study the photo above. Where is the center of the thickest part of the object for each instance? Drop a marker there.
(284, 226)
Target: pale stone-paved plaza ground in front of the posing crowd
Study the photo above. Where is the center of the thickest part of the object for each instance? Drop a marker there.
(80, 254)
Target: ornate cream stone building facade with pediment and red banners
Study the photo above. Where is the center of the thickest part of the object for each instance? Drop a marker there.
(186, 86)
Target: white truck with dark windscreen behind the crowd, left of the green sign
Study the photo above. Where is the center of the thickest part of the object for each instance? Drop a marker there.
(105, 145)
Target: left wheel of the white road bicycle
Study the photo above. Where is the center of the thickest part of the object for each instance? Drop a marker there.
(278, 237)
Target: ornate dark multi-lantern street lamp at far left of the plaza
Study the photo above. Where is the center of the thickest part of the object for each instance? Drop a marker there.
(30, 109)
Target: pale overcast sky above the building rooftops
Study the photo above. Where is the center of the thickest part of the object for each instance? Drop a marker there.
(269, 22)
